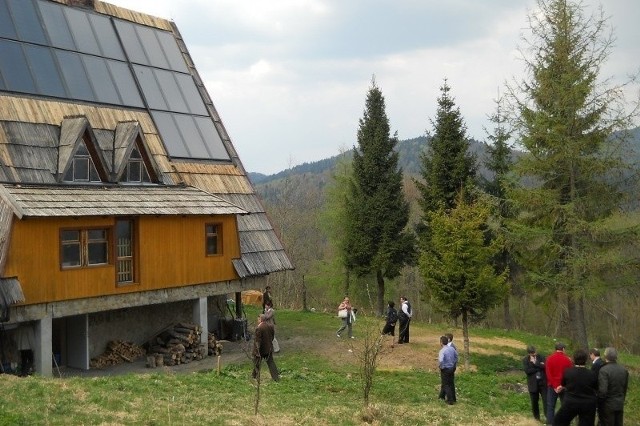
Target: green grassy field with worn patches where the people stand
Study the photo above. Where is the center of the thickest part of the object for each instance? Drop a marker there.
(320, 385)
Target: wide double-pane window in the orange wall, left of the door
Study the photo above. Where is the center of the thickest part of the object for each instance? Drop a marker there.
(84, 247)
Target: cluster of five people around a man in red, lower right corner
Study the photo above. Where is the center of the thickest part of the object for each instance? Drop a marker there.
(598, 392)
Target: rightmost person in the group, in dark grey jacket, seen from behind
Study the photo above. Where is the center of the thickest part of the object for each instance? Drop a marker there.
(613, 382)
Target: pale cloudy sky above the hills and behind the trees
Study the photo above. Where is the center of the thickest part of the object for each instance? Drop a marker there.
(289, 78)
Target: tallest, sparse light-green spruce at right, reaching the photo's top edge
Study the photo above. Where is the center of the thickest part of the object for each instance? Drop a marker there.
(567, 227)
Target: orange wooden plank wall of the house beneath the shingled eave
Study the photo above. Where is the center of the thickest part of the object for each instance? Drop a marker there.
(170, 252)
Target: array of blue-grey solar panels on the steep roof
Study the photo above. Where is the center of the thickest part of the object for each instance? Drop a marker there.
(52, 50)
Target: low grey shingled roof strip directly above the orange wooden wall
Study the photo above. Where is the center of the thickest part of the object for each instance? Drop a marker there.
(73, 201)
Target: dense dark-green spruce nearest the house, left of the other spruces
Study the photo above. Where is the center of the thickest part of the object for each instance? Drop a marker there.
(376, 239)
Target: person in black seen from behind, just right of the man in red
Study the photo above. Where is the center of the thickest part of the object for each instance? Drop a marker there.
(579, 386)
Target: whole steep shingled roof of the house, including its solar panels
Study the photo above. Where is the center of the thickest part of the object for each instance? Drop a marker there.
(135, 83)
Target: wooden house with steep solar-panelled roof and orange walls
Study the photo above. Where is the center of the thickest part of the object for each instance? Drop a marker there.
(123, 204)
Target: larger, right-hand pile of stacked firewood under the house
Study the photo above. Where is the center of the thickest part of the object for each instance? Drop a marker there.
(180, 344)
